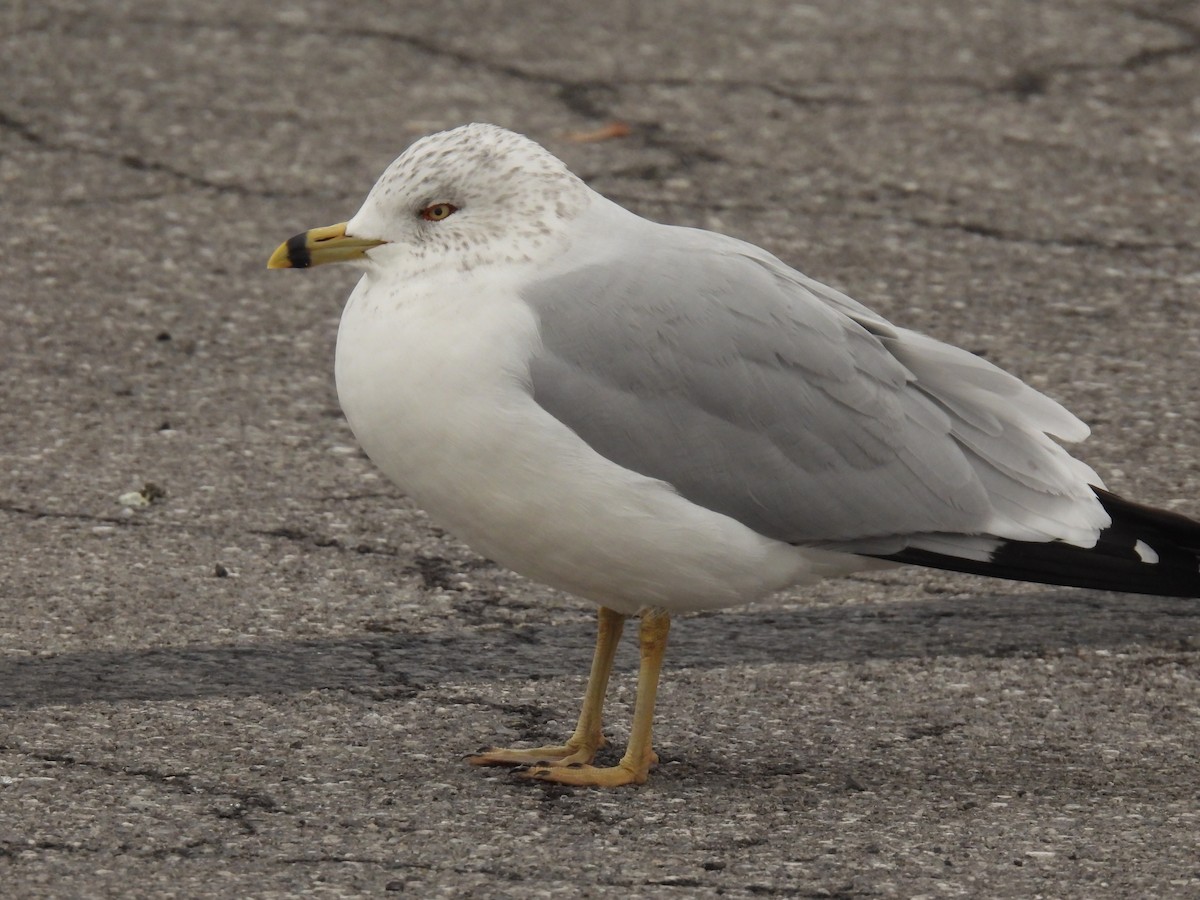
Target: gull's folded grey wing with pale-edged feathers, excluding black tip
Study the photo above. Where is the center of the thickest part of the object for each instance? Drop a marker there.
(758, 393)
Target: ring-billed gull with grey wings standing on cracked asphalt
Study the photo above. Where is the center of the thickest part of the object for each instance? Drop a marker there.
(663, 419)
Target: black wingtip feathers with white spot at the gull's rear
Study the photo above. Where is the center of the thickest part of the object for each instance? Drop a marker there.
(1145, 551)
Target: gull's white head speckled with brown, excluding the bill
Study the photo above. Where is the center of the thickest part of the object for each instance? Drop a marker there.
(466, 197)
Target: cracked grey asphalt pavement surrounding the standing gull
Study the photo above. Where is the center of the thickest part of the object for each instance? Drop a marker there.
(262, 683)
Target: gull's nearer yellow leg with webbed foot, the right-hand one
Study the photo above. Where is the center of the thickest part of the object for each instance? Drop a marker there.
(635, 766)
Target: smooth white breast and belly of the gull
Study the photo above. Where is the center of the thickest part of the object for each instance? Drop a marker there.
(436, 391)
